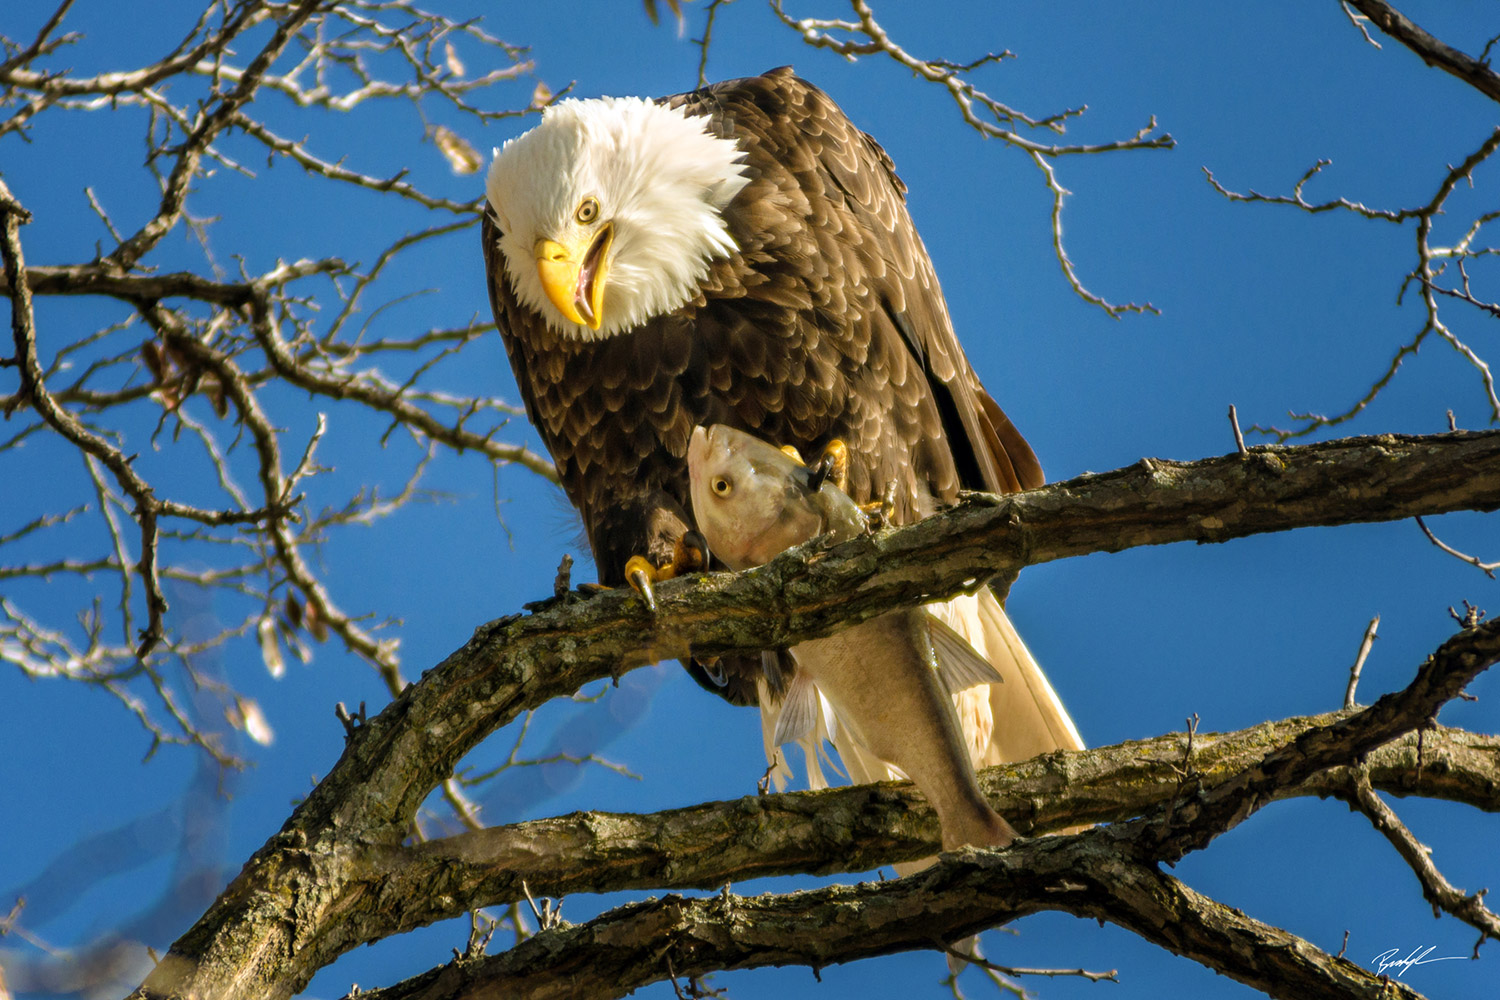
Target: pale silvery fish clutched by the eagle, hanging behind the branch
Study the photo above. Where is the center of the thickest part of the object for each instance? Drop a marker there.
(883, 690)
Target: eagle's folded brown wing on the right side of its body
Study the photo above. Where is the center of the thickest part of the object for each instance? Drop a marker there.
(826, 233)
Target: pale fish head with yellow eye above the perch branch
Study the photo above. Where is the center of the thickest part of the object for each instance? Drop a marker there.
(751, 500)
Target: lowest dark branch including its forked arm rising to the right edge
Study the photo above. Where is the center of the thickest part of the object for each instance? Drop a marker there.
(1105, 873)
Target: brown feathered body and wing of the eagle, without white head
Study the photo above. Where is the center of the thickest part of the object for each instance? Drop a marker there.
(826, 323)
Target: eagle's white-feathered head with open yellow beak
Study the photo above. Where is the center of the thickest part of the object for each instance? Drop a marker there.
(611, 211)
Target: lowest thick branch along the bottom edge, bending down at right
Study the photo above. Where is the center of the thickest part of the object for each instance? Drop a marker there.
(640, 944)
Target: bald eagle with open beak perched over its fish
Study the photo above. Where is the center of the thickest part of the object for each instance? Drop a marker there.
(740, 256)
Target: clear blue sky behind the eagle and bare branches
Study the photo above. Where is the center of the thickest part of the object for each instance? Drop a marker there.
(1264, 308)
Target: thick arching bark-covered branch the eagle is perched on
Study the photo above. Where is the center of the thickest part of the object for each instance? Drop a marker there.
(301, 900)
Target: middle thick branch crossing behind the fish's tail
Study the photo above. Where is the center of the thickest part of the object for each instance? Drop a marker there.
(863, 827)
